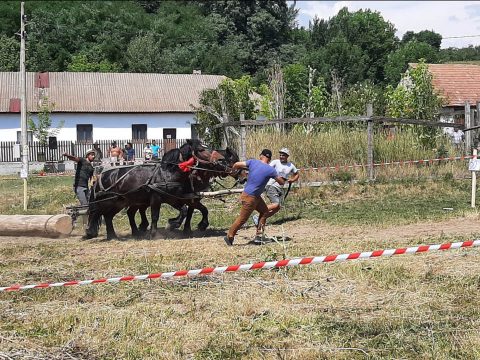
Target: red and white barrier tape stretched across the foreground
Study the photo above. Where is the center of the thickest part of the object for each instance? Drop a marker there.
(256, 266)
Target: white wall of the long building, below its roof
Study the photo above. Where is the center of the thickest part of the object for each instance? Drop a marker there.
(106, 126)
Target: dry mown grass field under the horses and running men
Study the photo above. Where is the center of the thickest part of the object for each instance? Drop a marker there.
(406, 307)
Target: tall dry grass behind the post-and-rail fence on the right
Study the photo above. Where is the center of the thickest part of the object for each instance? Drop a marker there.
(345, 145)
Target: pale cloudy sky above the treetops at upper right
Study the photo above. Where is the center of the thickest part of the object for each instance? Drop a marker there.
(451, 19)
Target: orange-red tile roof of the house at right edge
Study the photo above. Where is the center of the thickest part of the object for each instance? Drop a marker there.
(456, 82)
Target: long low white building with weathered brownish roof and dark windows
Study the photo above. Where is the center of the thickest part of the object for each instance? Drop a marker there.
(102, 106)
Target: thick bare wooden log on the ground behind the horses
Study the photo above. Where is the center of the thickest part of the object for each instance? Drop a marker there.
(35, 225)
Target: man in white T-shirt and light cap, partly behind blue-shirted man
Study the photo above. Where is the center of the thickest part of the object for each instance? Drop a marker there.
(273, 189)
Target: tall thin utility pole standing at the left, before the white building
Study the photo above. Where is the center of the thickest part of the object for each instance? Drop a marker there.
(23, 108)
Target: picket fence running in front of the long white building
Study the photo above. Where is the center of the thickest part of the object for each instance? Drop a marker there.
(10, 150)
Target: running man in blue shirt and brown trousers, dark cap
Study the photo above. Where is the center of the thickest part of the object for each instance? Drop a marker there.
(259, 172)
